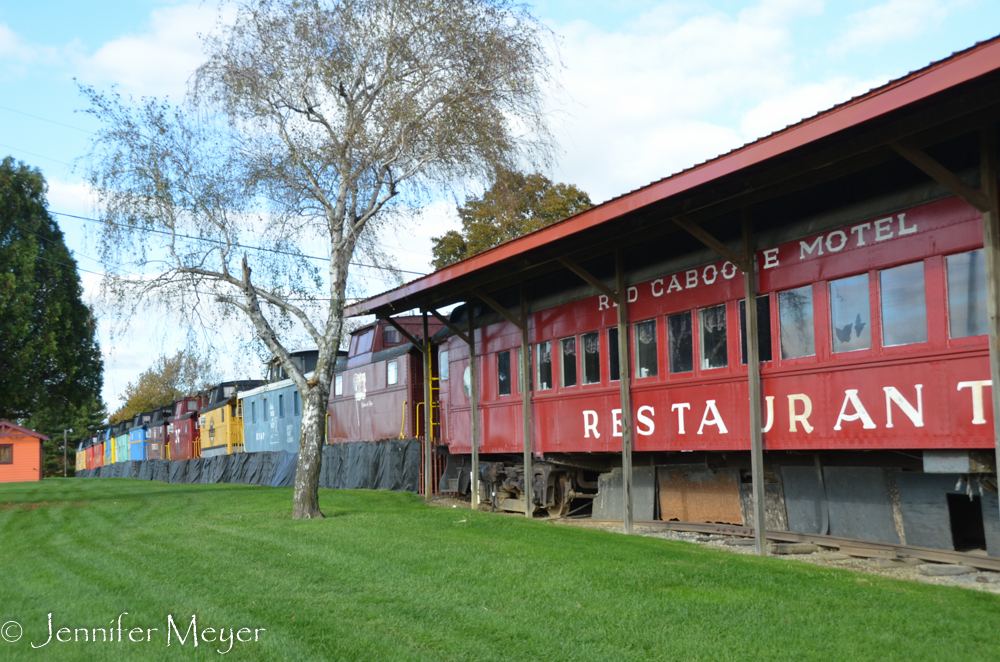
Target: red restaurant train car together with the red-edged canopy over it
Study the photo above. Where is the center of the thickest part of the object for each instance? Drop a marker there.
(876, 398)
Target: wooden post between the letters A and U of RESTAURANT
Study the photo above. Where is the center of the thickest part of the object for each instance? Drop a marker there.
(754, 386)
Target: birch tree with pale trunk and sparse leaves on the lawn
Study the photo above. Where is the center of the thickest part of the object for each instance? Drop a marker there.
(310, 124)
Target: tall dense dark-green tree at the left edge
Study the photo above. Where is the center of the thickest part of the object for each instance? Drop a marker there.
(49, 356)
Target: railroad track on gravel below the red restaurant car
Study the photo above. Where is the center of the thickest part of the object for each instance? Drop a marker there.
(851, 546)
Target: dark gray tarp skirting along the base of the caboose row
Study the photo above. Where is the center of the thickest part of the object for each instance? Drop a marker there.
(390, 464)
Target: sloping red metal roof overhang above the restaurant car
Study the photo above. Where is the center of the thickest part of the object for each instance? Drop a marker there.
(937, 103)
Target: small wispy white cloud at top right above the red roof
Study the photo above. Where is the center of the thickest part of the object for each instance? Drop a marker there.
(895, 20)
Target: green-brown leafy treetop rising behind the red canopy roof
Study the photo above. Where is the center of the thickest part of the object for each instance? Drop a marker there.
(514, 205)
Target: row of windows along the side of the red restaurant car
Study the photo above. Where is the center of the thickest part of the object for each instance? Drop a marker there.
(903, 307)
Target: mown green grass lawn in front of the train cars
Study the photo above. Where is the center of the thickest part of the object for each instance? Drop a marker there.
(386, 578)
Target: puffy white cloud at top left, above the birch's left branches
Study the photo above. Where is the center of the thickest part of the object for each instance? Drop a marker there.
(157, 62)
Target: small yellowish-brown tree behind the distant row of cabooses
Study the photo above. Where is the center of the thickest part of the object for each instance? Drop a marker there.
(169, 379)
